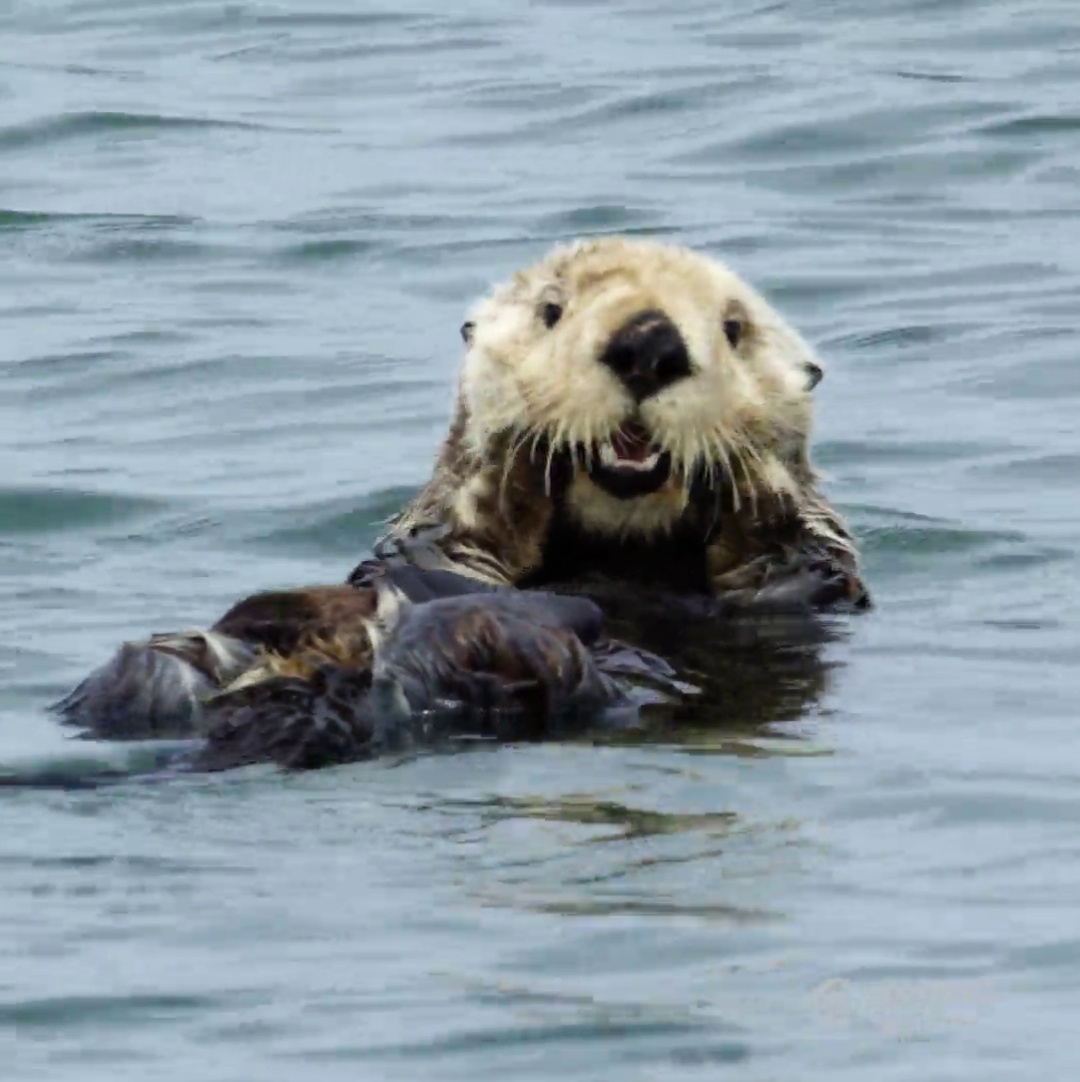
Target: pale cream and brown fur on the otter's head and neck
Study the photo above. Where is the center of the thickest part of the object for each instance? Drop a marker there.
(734, 427)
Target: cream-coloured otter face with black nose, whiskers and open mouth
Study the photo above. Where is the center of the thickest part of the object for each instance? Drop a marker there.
(649, 368)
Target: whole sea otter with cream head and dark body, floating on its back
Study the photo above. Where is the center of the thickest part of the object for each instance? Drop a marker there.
(633, 420)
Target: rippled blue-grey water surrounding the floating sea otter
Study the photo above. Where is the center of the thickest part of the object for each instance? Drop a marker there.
(236, 243)
